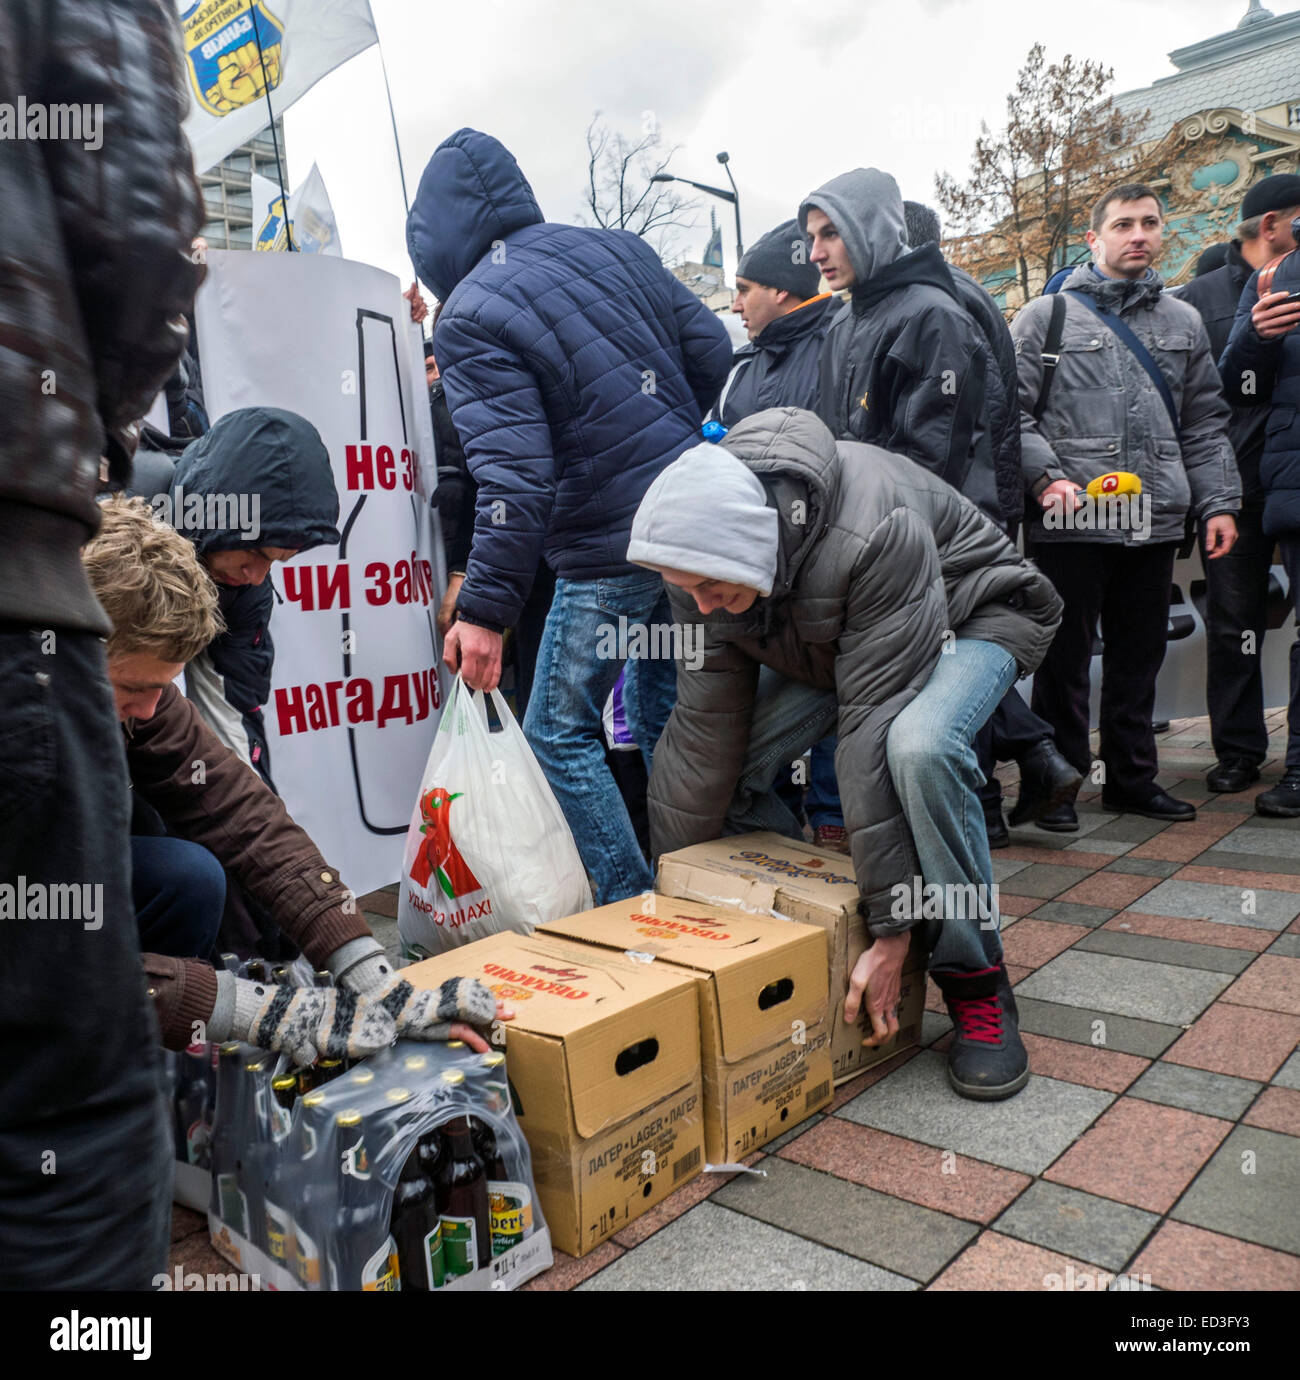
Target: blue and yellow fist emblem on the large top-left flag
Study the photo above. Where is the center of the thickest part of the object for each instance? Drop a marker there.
(228, 70)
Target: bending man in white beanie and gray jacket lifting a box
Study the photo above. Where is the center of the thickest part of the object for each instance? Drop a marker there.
(838, 587)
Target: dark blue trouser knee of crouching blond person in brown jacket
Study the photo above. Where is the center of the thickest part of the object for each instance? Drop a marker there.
(180, 892)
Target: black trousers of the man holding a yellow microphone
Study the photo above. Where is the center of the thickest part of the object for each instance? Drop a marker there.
(1125, 589)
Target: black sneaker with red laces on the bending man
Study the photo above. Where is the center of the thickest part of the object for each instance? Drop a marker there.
(987, 1059)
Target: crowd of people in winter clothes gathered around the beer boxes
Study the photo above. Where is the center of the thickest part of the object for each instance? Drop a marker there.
(876, 518)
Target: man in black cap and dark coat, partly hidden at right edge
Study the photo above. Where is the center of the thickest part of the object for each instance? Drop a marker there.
(1237, 586)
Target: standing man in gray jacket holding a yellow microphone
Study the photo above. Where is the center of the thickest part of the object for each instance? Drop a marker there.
(1163, 419)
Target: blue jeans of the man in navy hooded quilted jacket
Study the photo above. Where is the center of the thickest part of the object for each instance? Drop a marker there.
(578, 666)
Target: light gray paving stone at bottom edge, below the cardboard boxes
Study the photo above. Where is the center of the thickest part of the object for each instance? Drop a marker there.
(713, 1248)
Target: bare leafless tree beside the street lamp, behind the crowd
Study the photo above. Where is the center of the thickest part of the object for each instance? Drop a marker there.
(620, 190)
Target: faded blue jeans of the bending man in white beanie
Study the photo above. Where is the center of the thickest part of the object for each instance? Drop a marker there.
(935, 771)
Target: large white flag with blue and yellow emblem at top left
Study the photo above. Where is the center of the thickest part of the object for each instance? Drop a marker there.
(237, 50)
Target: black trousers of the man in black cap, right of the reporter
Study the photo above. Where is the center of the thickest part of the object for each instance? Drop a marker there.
(1237, 604)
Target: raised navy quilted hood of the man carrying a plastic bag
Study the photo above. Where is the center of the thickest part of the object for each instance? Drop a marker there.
(473, 194)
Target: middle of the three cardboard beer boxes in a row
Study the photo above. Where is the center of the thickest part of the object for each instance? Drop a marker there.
(762, 986)
